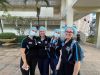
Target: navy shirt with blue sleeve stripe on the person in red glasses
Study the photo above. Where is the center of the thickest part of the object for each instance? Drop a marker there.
(71, 54)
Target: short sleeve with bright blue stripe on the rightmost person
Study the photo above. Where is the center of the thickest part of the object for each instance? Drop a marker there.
(77, 52)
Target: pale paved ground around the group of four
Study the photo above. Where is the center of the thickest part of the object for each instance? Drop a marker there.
(9, 61)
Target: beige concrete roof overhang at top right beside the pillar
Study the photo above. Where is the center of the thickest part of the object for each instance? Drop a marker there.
(84, 7)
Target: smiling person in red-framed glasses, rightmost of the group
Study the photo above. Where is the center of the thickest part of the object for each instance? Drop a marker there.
(70, 55)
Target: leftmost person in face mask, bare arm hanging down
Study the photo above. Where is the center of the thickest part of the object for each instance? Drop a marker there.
(29, 53)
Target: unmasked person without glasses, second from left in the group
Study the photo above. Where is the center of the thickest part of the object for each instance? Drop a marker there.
(43, 45)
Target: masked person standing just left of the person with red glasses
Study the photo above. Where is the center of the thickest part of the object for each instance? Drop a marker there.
(55, 46)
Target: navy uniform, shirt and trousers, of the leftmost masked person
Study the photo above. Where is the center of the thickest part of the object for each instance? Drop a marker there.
(31, 55)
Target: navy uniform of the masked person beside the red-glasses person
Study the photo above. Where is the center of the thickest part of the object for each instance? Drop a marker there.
(55, 47)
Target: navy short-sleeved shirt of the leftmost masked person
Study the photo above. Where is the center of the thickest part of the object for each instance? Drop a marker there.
(30, 46)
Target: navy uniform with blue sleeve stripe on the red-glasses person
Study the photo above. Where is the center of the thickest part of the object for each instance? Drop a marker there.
(69, 57)
